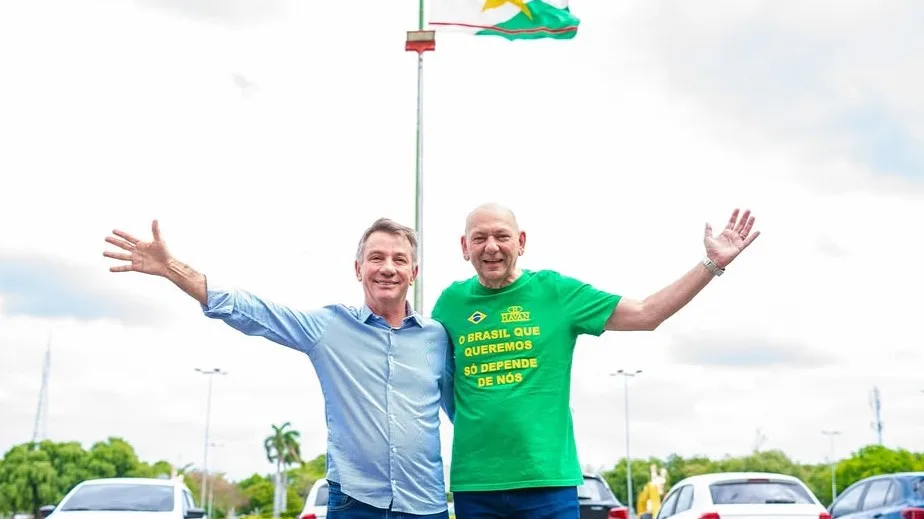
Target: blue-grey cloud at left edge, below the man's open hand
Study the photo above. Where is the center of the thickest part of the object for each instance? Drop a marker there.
(48, 286)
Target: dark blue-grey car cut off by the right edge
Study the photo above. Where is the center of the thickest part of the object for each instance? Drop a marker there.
(887, 496)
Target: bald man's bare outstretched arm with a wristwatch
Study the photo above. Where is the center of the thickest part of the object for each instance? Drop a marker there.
(649, 313)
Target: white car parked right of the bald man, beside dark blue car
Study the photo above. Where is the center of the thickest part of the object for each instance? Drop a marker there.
(741, 495)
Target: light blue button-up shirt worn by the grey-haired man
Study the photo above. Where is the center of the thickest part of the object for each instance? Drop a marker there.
(383, 388)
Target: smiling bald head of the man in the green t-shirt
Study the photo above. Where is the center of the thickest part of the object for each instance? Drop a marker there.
(492, 243)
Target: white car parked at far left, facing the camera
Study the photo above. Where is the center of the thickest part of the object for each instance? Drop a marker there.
(143, 498)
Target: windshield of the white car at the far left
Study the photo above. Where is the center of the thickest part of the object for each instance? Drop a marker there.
(121, 496)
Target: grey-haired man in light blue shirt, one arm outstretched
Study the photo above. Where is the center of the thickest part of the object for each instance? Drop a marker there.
(385, 371)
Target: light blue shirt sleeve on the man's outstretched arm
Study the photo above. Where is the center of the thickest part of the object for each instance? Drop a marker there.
(252, 315)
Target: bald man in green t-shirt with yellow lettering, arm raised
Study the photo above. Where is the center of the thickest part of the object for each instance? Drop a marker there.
(514, 331)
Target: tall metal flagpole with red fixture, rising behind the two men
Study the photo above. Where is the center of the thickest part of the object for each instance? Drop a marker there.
(419, 41)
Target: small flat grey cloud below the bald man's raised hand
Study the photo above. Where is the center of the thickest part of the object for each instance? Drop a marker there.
(745, 351)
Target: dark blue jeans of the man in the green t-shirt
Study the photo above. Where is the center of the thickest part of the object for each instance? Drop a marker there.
(526, 503)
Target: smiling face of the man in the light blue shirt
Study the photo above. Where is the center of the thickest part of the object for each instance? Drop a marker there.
(386, 268)
